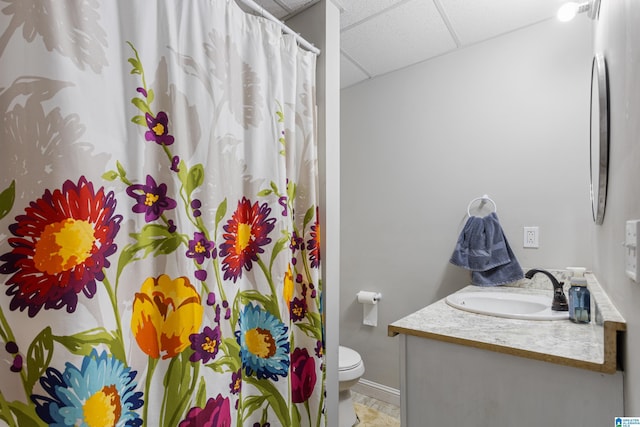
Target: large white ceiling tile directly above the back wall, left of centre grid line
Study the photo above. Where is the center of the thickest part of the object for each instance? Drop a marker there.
(402, 36)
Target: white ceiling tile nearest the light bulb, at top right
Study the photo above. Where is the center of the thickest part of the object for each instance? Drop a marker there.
(478, 20)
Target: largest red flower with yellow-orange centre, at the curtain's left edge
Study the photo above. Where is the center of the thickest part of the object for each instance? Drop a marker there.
(61, 247)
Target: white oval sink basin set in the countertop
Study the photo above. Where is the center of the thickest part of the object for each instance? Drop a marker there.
(506, 304)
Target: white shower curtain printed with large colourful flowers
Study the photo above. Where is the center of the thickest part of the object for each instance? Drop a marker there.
(159, 231)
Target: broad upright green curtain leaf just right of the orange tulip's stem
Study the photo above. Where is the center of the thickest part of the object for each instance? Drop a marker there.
(178, 388)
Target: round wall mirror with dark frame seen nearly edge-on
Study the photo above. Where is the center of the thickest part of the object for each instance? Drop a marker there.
(599, 137)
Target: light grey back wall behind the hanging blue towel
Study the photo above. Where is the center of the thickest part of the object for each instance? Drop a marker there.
(508, 117)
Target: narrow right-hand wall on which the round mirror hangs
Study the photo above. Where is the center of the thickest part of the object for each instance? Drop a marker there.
(618, 37)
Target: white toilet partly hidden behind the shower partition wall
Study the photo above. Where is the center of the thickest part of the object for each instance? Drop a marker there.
(350, 369)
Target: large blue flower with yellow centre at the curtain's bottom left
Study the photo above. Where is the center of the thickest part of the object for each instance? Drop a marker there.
(100, 392)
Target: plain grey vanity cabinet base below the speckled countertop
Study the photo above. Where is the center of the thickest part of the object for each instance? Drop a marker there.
(446, 384)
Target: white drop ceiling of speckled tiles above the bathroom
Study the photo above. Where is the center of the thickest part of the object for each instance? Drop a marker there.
(381, 36)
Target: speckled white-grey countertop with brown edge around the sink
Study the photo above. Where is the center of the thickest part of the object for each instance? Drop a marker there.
(590, 346)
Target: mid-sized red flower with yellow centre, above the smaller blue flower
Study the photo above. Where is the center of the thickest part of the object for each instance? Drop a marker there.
(246, 232)
